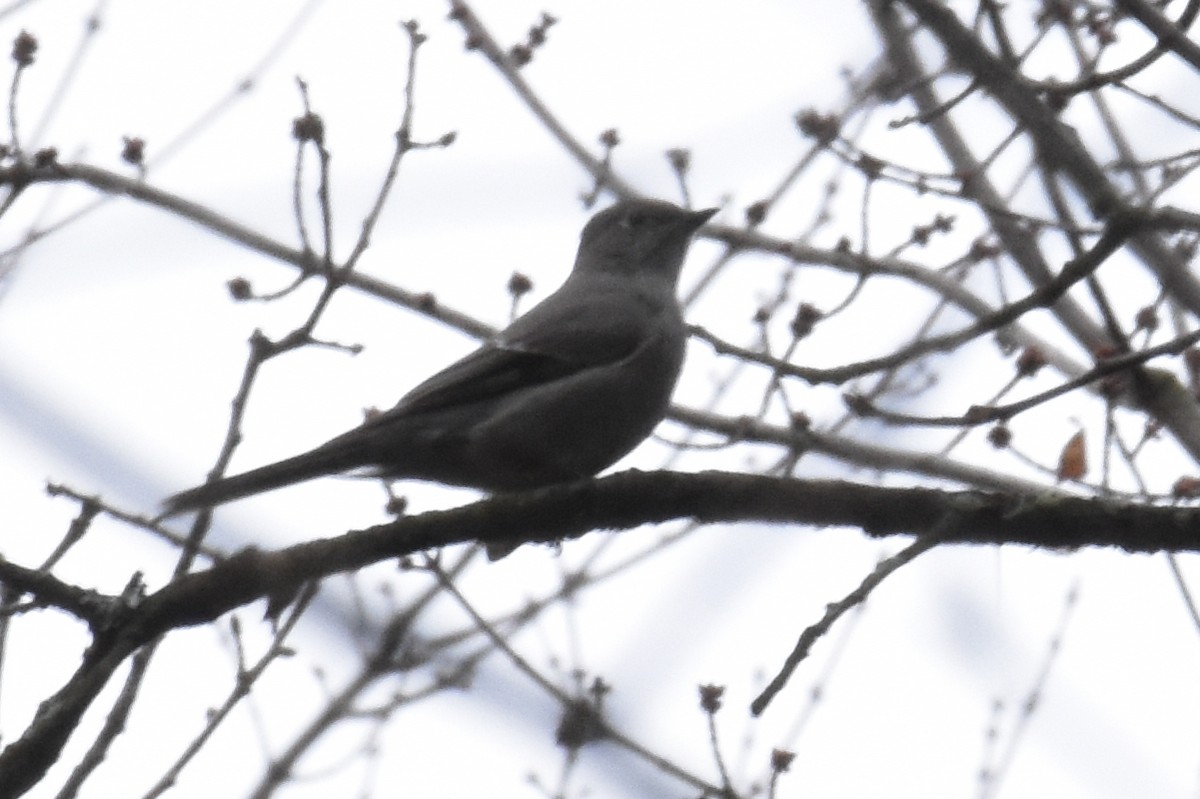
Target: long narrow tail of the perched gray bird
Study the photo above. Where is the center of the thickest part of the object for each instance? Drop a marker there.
(296, 470)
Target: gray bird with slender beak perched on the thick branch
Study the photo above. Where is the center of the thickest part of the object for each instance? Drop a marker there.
(563, 393)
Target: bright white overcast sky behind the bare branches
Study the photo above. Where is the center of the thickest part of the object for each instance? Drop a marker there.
(121, 351)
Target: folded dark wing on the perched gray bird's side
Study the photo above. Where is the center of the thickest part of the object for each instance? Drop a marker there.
(554, 341)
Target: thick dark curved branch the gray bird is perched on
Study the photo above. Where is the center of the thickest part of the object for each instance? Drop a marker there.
(1052, 520)
